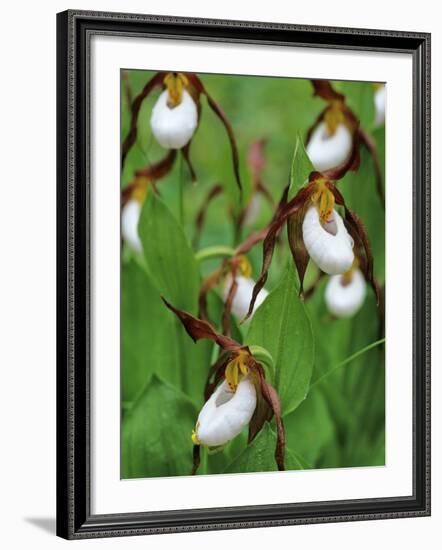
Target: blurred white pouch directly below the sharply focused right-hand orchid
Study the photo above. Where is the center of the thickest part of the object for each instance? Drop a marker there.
(344, 298)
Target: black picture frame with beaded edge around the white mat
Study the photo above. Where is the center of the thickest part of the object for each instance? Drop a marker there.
(74, 518)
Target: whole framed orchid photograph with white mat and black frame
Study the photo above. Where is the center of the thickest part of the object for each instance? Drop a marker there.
(243, 274)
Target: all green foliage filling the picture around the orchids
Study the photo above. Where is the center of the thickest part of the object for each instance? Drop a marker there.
(333, 418)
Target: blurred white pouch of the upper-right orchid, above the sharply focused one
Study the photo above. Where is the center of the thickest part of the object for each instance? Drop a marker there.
(328, 151)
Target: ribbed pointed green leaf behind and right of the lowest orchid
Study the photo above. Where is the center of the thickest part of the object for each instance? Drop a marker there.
(282, 327)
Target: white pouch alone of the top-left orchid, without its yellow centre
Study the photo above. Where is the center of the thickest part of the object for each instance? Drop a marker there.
(173, 127)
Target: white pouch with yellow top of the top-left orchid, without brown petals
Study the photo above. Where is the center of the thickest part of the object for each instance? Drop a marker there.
(175, 115)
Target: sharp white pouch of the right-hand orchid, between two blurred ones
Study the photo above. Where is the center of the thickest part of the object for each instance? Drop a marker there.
(329, 246)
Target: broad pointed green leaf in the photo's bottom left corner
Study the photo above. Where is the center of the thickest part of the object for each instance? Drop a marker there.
(156, 433)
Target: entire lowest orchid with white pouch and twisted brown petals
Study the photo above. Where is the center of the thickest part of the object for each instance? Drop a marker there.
(237, 393)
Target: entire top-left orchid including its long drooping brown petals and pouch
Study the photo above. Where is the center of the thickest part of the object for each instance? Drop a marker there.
(176, 115)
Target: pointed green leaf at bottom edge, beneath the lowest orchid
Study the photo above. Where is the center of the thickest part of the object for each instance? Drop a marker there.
(259, 456)
